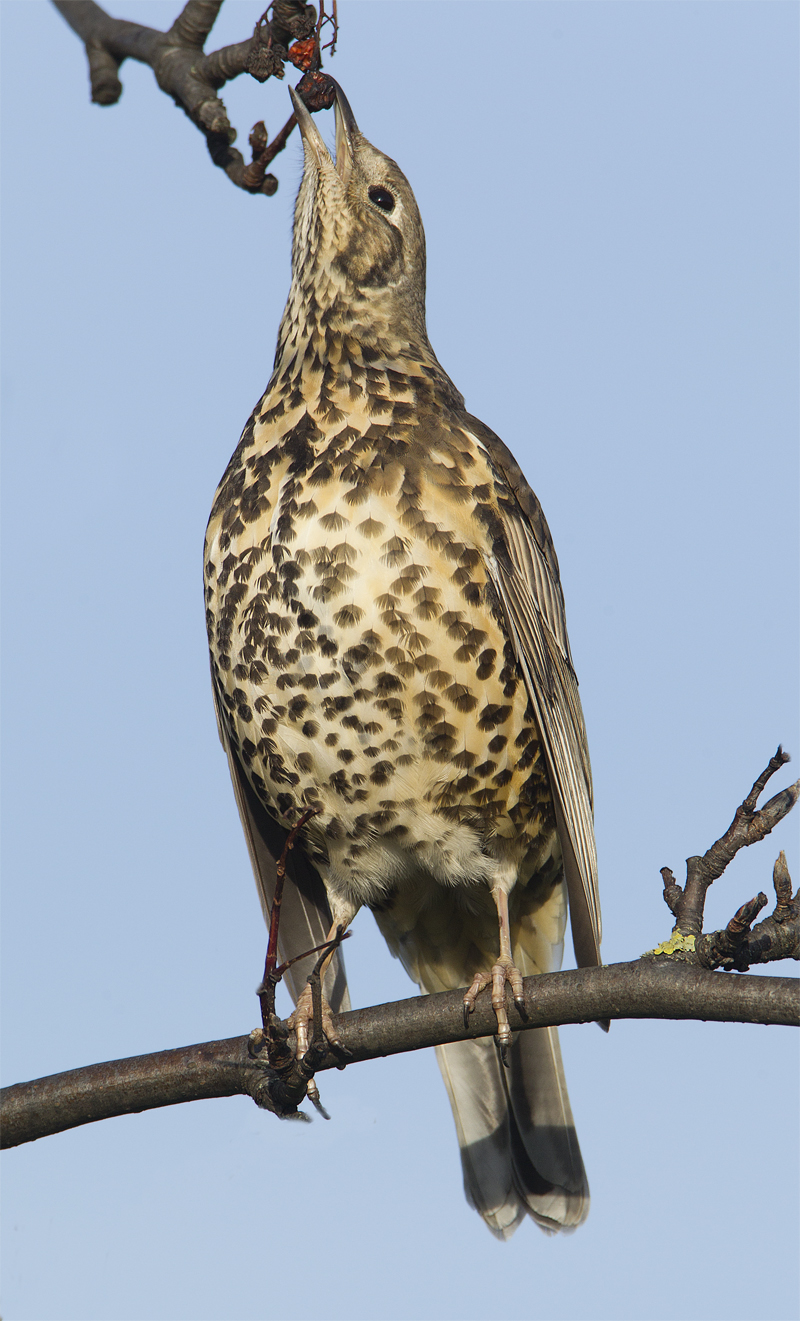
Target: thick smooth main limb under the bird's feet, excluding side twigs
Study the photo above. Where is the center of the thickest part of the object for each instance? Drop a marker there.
(226, 1069)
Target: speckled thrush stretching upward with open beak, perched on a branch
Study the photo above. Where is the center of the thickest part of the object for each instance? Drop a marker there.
(389, 653)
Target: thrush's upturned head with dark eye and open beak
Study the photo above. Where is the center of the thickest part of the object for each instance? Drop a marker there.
(360, 245)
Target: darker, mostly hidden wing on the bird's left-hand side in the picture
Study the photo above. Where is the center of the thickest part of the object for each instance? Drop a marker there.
(306, 913)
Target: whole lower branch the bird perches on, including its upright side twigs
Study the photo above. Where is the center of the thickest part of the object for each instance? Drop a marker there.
(673, 982)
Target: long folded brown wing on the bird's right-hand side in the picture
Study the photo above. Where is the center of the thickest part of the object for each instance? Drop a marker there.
(525, 573)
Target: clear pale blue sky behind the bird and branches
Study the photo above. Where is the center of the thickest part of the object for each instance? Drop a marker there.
(611, 200)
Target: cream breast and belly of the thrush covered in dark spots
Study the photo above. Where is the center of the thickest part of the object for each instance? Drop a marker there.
(360, 655)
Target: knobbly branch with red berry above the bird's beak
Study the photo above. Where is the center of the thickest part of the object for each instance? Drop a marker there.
(193, 80)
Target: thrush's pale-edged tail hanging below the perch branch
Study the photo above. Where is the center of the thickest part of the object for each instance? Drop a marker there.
(519, 1150)
